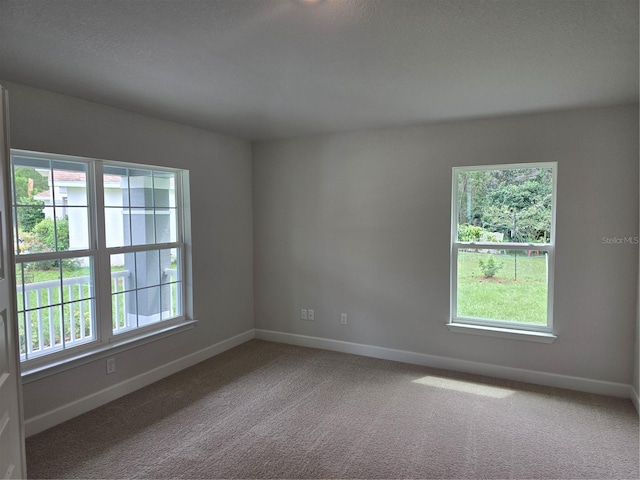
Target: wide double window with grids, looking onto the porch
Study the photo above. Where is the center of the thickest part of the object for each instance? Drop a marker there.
(100, 253)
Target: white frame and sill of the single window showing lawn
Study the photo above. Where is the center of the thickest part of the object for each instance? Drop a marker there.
(493, 327)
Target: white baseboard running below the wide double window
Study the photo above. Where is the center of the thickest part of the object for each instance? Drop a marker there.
(66, 412)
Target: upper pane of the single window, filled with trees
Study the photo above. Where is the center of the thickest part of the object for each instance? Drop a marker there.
(510, 205)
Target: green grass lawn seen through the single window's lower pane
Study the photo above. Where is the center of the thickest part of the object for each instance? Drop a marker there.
(518, 291)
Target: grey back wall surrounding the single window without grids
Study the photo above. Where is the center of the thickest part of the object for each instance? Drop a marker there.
(359, 223)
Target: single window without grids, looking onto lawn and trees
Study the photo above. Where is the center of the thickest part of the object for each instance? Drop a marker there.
(502, 249)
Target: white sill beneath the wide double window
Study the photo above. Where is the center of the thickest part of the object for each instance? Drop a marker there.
(34, 373)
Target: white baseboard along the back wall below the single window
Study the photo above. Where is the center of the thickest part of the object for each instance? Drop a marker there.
(517, 374)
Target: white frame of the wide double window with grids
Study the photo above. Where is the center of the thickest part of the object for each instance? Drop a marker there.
(106, 341)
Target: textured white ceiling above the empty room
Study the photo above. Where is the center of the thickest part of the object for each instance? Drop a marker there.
(262, 69)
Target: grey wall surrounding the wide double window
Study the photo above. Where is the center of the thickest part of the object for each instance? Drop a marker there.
(220, 174)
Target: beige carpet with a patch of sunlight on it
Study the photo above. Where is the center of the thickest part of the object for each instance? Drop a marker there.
(266, 410)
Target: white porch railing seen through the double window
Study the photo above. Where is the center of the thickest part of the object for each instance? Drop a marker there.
(58, 317)
